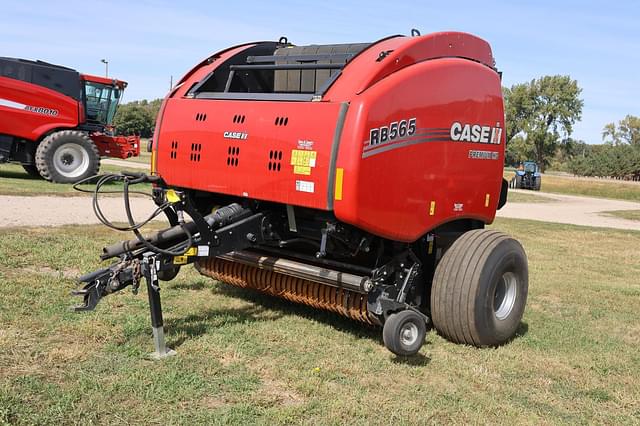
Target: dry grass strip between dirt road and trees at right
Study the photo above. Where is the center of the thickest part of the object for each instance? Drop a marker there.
(587, 187)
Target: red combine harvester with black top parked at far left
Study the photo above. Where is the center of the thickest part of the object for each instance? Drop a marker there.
(57, 122)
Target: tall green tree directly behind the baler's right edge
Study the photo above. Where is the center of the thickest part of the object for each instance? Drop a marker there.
(543, 112)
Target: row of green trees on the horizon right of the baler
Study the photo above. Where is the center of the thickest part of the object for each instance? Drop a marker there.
(540, 116)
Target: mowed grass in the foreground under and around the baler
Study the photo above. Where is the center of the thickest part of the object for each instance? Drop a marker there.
(245, 358)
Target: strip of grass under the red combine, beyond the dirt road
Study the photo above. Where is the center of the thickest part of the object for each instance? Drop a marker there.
(15, 181)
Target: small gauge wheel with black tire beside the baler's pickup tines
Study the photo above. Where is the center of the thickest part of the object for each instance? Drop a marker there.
(393, 328)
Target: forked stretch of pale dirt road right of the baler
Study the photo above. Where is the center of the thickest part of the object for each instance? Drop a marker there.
(572, 209)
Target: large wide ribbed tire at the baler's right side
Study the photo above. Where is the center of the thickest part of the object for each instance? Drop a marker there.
(467, 280)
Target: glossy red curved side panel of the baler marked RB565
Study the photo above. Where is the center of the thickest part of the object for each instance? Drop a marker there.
(403, 189)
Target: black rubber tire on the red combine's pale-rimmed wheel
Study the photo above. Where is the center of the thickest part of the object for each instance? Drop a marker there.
(78, 140)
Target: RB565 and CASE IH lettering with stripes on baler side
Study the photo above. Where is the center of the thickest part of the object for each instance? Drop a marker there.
(405, 132)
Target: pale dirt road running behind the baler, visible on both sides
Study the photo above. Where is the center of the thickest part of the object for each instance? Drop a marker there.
(55, 211)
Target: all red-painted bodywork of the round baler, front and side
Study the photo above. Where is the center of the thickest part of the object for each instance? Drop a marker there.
(438, 79)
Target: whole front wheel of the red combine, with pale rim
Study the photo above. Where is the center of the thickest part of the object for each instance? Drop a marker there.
(67, 157)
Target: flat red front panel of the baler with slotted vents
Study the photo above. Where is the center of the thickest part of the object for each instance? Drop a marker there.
(246, 148)
